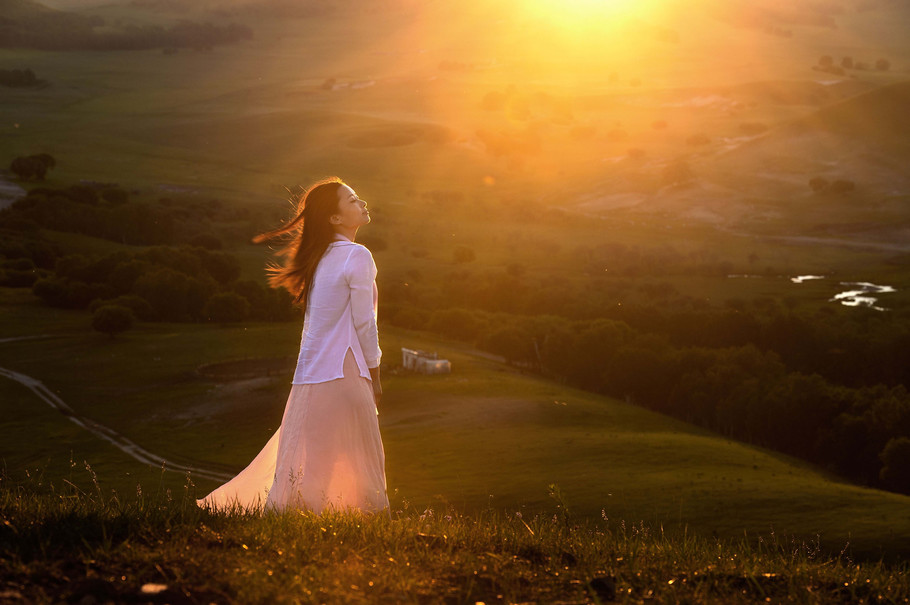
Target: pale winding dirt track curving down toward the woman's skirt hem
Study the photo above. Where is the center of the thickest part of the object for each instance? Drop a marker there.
(114, 438)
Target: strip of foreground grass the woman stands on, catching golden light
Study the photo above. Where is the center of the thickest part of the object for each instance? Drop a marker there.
(67, 544)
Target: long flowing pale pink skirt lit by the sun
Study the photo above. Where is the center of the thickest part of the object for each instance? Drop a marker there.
(327, 453)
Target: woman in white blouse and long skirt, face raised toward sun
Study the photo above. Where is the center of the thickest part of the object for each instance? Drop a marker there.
(327, 453)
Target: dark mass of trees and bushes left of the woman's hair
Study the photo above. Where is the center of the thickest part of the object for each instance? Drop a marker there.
(182, 276)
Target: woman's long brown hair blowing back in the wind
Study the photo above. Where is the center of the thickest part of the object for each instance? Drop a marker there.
(311, 233)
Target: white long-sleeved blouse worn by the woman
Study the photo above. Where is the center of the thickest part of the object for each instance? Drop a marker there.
(340, 315)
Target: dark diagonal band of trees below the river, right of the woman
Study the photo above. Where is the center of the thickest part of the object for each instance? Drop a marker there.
(741, 391)
